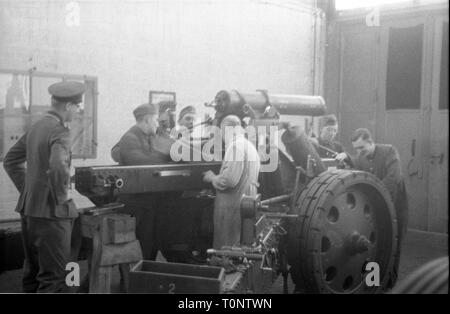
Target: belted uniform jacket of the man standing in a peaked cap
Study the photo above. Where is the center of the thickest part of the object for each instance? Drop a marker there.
(44, 183)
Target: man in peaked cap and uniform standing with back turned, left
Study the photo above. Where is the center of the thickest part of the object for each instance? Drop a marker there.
(46, 211)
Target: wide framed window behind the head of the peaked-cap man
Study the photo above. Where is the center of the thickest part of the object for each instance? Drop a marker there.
(24, 99)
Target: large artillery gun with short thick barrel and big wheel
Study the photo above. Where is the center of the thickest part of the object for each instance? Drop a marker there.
(320, 224)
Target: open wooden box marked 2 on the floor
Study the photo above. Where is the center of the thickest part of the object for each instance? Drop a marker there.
(161, 277)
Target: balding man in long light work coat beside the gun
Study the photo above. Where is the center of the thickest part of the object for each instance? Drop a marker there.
(238, 175)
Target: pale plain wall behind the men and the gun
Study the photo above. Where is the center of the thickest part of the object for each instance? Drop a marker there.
(195, 48)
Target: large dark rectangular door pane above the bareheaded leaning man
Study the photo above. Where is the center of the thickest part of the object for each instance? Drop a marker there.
(404, 68)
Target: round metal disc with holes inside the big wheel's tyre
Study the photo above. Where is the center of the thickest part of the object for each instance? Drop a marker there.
(349, 218)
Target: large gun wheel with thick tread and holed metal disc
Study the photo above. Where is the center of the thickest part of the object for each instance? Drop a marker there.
(346, 220)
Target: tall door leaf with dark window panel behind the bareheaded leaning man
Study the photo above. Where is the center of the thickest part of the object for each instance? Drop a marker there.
(403, 87)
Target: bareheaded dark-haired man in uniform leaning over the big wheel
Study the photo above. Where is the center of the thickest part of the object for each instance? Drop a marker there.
(384, 162)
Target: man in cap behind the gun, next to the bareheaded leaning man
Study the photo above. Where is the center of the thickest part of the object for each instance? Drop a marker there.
(328, 129)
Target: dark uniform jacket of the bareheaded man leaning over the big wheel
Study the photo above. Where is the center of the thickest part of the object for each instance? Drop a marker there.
(385, 165)
